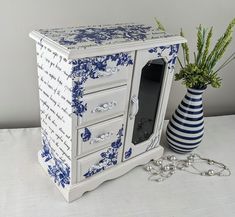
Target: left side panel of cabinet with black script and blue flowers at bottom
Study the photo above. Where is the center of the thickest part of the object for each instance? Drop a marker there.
(55, 93)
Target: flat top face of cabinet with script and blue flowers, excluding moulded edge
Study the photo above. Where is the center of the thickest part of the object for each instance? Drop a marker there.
(83, 37)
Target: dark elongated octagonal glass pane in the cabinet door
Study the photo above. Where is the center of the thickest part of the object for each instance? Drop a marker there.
(149, 95)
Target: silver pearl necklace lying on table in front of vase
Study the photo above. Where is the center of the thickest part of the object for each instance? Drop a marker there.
(166, 166)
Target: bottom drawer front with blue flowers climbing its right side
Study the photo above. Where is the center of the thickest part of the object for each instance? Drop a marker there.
(99, 161)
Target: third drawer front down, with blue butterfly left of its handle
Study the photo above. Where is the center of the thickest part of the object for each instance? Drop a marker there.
(95, 137)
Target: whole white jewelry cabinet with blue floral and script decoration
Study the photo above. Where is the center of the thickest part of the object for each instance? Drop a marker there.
(103, 94)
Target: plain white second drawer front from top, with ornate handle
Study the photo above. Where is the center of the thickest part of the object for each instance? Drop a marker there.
(103, 105)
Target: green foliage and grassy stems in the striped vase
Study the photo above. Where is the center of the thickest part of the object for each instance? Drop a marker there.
(203, 70)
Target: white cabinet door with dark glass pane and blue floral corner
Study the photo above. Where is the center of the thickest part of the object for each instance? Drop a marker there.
(149, 95)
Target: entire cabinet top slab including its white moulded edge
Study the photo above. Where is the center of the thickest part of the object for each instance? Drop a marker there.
(84, 41)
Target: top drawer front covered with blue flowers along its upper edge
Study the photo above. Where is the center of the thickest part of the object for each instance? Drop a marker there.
(103, 72)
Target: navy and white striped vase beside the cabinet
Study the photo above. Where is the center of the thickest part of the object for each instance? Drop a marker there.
(186, 127)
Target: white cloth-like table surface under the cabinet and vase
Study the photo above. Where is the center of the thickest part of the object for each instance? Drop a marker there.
(25, 190)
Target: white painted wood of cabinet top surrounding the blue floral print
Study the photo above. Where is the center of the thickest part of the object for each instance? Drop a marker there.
(51, 38)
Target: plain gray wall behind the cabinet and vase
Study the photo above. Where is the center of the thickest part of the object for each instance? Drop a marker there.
(19, 105)
